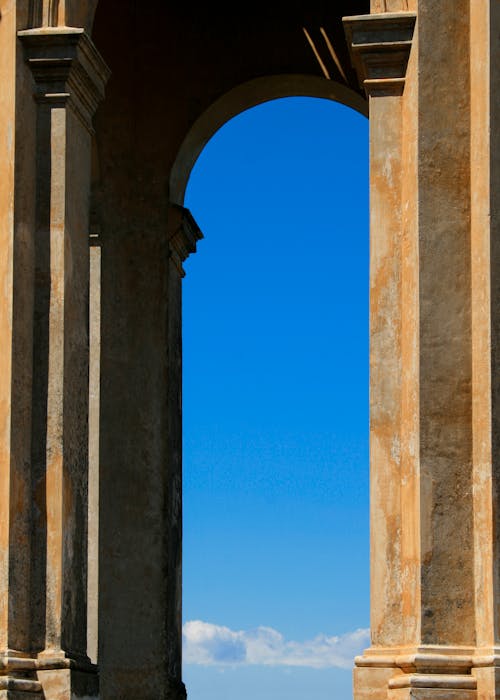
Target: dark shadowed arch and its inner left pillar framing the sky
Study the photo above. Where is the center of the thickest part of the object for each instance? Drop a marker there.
(142, 259)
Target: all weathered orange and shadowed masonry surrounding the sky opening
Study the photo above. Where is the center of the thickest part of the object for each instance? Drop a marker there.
(104, 108)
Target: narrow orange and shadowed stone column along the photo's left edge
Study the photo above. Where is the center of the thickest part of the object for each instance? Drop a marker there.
(17, 186)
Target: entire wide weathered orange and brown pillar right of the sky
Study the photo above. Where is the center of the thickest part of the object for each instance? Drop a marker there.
(434, 519)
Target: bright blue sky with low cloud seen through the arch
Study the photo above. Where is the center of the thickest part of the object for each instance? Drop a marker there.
(275, 399)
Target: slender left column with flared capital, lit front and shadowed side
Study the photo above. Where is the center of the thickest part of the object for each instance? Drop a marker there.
(69, 78)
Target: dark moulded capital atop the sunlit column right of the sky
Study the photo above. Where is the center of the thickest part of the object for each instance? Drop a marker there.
(380, 47)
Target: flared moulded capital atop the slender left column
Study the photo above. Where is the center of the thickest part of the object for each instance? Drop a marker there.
(66, 67)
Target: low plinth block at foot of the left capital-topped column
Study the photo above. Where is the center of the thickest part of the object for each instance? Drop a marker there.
(69, 684)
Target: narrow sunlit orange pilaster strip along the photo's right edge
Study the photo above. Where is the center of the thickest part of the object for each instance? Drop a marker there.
(485, 284)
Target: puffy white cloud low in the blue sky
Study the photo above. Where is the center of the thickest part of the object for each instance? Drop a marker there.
(215, 645)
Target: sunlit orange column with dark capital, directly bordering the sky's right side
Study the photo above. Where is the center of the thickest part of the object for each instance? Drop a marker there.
(380, 49)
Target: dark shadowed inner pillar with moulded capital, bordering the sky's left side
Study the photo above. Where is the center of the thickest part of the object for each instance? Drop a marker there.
(140, 502)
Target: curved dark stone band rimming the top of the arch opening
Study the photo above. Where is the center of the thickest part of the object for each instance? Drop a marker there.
(244, 96)
